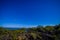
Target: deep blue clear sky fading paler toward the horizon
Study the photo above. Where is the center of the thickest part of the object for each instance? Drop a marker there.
(29, 13)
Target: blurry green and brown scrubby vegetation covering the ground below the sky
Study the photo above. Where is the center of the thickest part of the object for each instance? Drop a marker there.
(37, 33)
